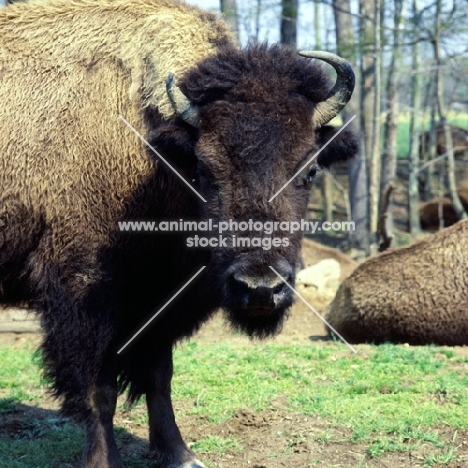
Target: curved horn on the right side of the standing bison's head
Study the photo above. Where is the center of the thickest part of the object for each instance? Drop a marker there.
(340, 94)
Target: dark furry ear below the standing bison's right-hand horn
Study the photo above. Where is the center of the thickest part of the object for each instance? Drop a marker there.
(342, 147)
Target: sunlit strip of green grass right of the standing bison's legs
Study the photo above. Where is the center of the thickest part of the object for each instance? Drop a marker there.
(348, 389)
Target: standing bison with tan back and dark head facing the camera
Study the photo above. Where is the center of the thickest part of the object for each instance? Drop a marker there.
(235, 124)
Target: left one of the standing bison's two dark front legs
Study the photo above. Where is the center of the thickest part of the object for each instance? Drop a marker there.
(101, 449)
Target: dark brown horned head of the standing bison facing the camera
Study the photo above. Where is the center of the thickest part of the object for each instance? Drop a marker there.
(248, 121)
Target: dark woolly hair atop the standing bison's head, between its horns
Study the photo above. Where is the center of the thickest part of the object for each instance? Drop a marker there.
(256, 74)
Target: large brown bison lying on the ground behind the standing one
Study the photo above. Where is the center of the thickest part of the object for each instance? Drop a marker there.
(415, 294)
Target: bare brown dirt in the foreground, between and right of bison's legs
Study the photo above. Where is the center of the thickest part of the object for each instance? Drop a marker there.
(278, 438)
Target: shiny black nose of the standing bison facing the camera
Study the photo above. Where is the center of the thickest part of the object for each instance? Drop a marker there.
(266, 291)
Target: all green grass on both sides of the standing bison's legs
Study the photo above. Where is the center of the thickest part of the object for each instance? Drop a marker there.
(393, 398)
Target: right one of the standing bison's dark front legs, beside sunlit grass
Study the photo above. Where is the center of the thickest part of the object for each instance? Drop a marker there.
(165, 439)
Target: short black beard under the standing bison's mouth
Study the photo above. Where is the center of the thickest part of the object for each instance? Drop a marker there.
(259, 323)
